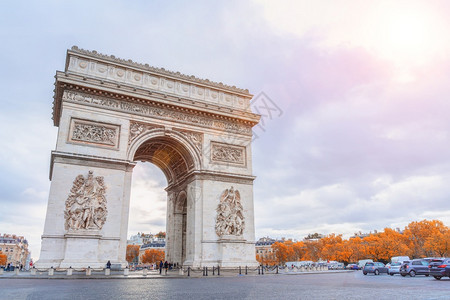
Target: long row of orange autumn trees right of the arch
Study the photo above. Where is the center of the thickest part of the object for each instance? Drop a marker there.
(420, 239)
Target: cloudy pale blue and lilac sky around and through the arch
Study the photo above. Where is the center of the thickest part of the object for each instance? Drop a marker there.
(357, 138)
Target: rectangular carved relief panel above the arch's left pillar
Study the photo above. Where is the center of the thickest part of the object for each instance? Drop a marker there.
(88, 132)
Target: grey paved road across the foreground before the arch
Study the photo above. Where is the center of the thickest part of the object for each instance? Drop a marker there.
(352, 285)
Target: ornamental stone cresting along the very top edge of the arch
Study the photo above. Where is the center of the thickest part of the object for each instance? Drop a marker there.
(161, 71)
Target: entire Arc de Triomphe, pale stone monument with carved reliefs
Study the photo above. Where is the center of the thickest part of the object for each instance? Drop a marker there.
(113, 113)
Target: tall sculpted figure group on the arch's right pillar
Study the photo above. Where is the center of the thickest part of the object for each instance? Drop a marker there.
(230, 218)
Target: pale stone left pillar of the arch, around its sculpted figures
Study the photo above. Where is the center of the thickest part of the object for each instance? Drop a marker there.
(64, 246)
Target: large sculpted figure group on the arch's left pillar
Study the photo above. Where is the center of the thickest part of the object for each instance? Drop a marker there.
(86, 205)
